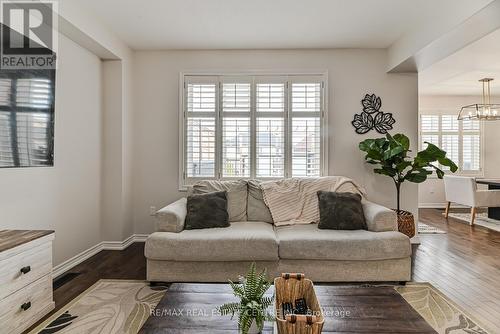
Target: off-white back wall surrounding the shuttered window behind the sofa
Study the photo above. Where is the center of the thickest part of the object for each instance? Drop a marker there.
(352, 73)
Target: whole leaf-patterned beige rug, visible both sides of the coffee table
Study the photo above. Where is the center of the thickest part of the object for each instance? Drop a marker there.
(119, 306)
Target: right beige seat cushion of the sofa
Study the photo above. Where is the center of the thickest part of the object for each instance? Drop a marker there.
(307, 242)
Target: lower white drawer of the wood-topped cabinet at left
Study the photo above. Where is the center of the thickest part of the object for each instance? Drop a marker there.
(37, 301)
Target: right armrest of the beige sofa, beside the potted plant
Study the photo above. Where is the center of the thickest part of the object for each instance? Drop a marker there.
(379, 218)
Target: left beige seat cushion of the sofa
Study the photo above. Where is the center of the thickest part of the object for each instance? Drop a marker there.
(242, 241)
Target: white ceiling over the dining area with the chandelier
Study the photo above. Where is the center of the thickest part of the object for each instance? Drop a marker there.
(459, 73)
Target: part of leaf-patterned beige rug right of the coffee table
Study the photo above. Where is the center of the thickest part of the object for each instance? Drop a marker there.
(439, 312)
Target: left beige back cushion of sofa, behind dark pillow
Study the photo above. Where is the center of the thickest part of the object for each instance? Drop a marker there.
(236, 196)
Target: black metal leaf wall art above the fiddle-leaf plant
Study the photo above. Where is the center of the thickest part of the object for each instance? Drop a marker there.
(372, 117)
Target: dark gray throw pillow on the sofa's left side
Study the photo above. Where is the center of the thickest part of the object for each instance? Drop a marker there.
(207, 211)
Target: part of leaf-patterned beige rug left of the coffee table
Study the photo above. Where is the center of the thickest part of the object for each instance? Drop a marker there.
(108, 307)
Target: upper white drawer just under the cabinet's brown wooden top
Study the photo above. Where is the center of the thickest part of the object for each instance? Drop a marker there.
(25, 267)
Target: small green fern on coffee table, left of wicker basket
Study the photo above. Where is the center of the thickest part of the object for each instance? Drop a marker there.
(253, 305)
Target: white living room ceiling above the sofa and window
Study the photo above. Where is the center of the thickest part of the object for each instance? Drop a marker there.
(276, 24)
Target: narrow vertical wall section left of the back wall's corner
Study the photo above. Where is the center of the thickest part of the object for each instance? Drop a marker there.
(117, 153)
